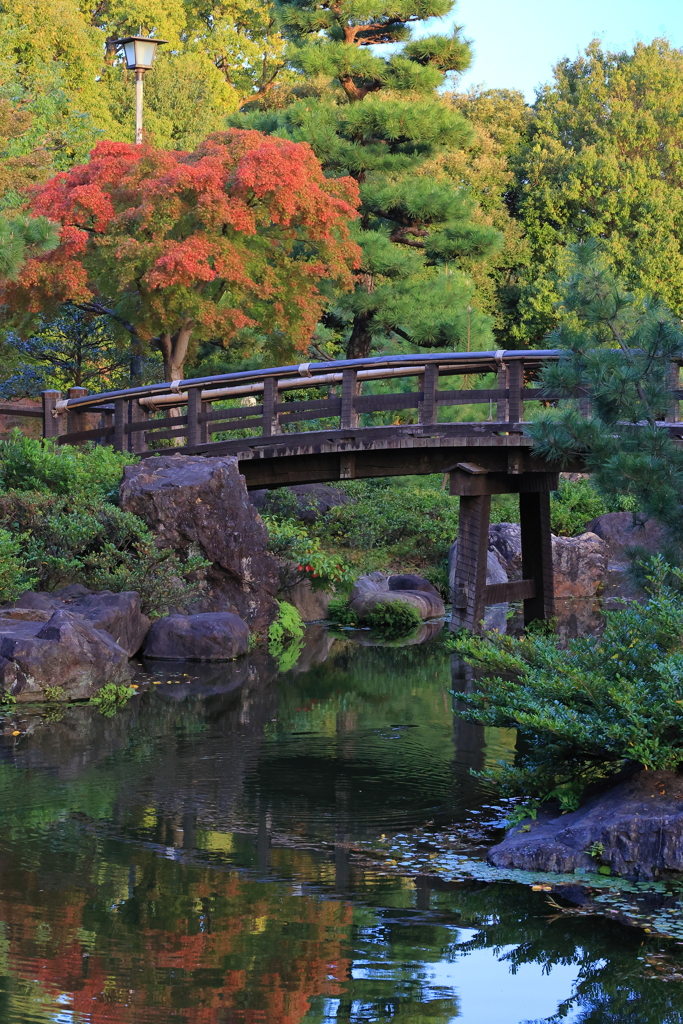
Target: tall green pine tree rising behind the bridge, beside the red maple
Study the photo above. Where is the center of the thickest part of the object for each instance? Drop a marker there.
(378, 118)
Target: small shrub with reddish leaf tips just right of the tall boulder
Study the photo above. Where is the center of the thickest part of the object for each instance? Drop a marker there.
(304, 557)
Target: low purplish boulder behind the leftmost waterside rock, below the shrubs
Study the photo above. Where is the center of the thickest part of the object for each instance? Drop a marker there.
(119, 615)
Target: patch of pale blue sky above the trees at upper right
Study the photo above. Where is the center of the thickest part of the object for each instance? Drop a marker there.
(517, 45)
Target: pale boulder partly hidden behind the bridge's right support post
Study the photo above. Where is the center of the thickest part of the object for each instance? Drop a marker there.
(580, 564)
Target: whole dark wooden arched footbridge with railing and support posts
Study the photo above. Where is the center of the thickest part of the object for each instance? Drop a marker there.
(383, 416)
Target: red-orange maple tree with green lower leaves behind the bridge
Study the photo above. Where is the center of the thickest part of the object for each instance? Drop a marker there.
(228, 242)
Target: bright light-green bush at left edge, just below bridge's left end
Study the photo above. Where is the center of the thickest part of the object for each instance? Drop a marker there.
(32, 464)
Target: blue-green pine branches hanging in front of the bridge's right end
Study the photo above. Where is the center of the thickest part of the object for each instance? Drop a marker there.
(619, 354)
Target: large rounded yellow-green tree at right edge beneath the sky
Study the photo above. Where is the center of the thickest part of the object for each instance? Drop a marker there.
(603, 160)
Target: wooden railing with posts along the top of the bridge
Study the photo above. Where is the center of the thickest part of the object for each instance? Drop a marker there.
(345, 396)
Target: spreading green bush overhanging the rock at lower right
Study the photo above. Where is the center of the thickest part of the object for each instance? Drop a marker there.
(583, 712)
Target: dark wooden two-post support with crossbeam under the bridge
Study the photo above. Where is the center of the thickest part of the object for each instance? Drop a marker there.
(475, 485)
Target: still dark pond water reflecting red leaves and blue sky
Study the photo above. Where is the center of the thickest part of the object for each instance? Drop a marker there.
(199, 859)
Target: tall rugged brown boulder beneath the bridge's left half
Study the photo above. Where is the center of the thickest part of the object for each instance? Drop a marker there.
(201, 506)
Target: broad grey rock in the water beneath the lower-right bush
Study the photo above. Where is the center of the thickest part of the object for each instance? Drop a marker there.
(635, 829)
